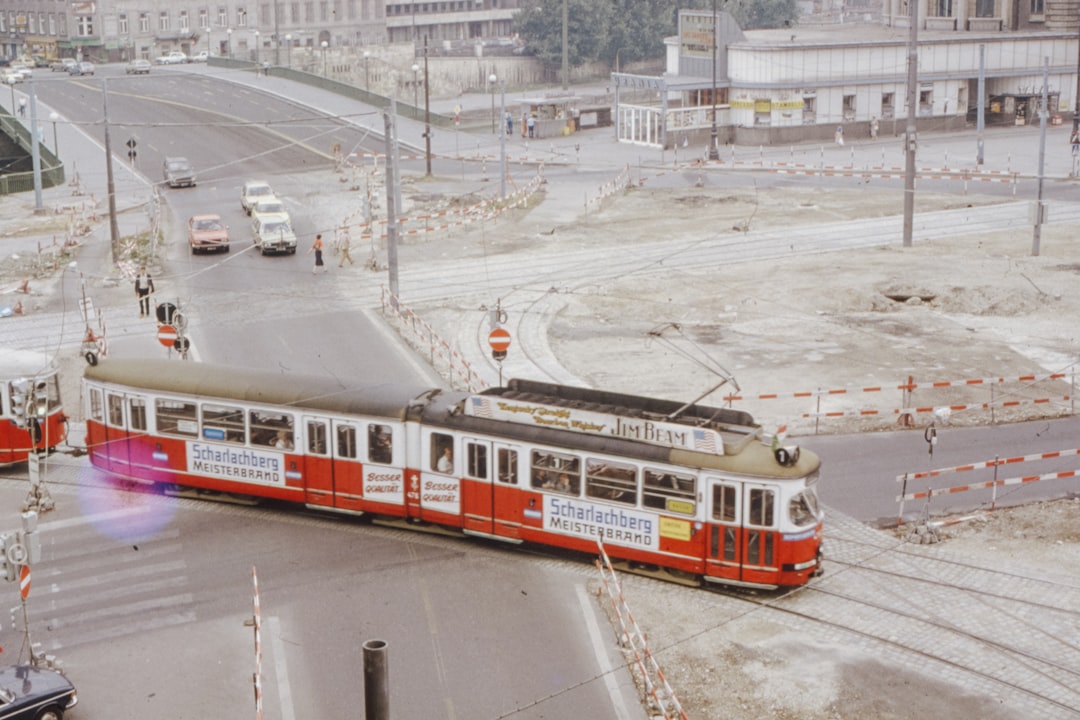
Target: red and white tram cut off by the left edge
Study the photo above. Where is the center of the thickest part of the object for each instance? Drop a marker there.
(32, 415)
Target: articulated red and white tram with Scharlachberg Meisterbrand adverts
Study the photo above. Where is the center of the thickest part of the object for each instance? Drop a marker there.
(687, 488)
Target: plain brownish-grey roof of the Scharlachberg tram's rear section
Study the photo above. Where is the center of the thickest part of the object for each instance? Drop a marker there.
(256, 386)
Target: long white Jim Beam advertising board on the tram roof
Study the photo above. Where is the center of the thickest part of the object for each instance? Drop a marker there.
(654, 432)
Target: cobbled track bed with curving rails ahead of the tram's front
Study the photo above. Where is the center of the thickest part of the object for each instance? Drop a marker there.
(1001, 641)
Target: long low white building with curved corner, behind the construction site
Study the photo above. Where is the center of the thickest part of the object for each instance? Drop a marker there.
(801, 84)
